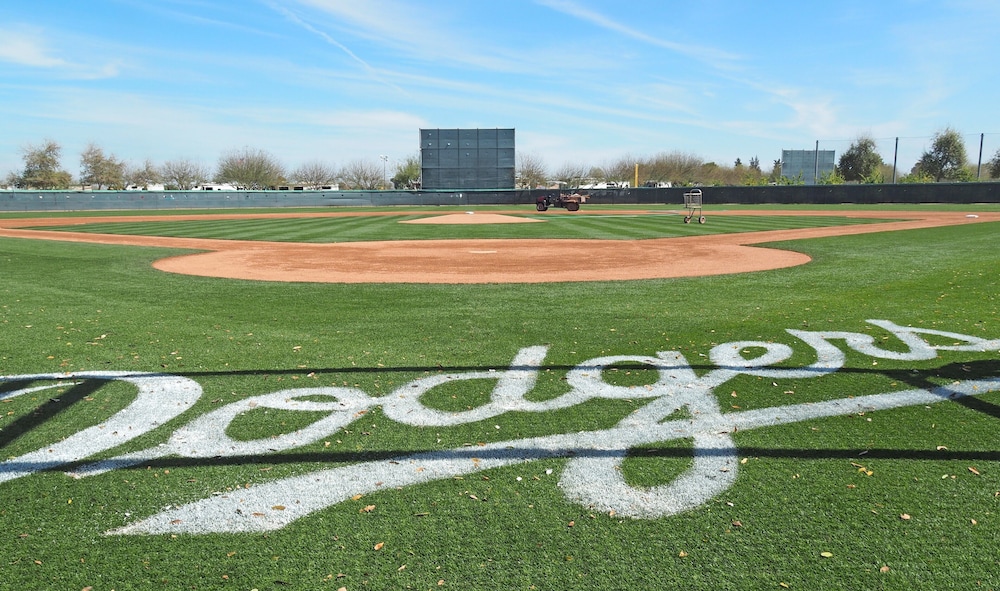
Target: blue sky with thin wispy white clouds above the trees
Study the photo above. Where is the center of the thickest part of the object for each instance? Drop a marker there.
(582, 81)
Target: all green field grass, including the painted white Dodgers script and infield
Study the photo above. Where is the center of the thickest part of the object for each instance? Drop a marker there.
(905, 497)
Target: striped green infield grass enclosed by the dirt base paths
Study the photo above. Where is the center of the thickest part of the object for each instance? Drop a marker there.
(357, 229)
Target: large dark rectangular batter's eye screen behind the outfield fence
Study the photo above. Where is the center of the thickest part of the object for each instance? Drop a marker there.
(467, 158)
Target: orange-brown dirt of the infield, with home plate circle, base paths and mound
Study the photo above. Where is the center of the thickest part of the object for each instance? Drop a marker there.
(483, 260)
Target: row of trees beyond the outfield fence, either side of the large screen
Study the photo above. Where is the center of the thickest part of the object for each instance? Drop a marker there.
(255, 169)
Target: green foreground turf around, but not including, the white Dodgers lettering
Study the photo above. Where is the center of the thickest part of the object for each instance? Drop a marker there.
(897, 499)
